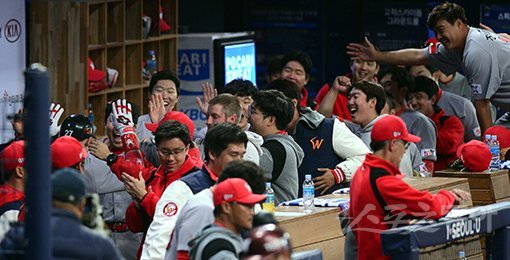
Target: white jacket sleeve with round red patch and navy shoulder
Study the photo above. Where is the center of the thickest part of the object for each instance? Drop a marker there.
(169, 208)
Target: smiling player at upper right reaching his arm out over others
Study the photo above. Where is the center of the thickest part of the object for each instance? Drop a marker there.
(480, 54)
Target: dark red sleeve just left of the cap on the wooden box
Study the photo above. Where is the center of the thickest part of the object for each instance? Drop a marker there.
(450, 136)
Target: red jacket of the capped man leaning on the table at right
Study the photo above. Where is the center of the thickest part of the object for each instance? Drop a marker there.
(368, 216)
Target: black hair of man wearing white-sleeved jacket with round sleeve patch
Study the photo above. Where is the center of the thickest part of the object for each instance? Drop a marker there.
(217, 139)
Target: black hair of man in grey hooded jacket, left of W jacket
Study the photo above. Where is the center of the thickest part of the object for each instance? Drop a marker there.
(274, 103)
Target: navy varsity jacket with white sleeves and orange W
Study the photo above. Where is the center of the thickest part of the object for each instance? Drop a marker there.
(327, 143)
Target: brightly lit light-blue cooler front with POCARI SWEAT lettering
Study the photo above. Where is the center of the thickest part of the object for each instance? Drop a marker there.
(240, 62)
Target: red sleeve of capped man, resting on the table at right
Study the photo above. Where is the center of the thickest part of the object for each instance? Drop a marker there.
(404, 199)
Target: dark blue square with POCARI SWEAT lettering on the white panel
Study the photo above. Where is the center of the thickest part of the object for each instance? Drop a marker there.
(193, 64)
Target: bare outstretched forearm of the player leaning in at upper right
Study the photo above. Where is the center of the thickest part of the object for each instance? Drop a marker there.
(402, 57)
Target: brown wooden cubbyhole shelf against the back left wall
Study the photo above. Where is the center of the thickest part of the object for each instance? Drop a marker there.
(111, 35)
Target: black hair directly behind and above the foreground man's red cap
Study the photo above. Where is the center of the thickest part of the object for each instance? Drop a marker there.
(246, 170)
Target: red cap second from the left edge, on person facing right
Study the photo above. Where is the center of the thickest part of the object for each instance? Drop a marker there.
(66, 151)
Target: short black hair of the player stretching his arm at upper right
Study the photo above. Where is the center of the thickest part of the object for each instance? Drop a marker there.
(447, 11)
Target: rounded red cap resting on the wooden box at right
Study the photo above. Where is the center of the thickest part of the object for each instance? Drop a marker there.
(475, 155)
